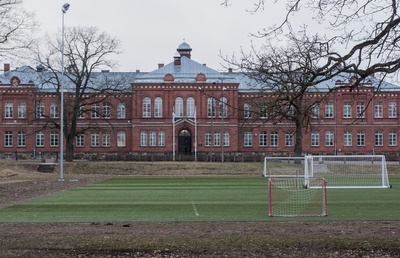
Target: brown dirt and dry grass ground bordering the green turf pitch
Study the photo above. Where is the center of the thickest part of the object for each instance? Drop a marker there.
(200, 239)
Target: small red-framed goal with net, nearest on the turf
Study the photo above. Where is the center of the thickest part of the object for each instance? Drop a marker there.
(290, 197)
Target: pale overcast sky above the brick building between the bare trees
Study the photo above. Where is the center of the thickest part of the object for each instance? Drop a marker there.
(151, 30)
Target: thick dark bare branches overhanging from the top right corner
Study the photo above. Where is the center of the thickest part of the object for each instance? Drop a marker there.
(360, 37)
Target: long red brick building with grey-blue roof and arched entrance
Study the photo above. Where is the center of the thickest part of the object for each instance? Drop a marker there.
(187, 108)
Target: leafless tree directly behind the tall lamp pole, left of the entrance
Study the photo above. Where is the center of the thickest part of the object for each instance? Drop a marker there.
(87, 52)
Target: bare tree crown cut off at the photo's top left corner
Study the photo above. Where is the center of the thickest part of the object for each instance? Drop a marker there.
(16, 28)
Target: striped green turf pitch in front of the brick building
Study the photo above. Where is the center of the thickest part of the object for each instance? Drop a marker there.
(226, 198)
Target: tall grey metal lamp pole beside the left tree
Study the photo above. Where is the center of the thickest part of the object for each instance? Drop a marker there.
(64, 9)
